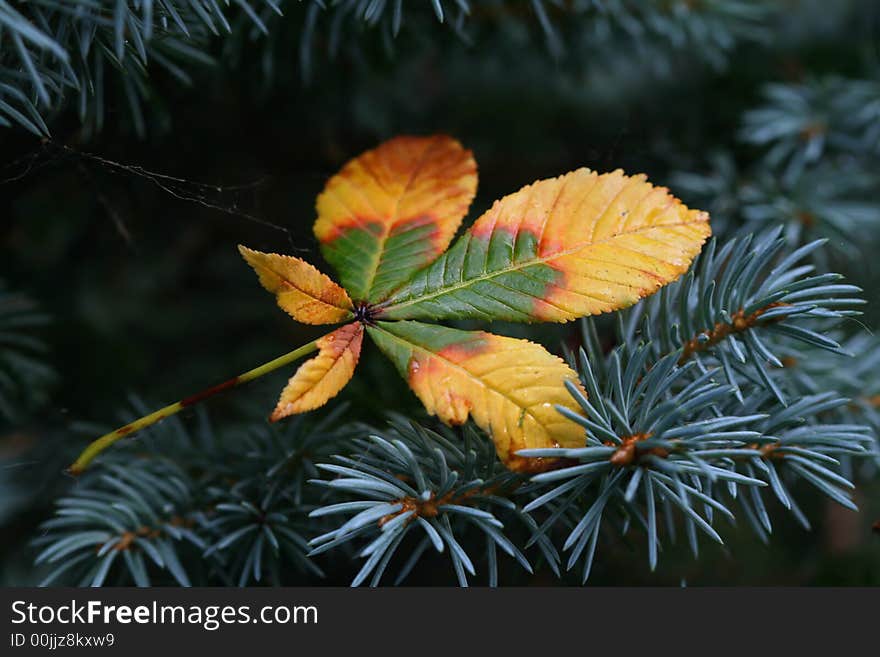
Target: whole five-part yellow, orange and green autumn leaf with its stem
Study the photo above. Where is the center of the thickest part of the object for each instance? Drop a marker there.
(558, 249)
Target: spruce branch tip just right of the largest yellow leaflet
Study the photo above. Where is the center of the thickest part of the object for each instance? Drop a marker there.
(739, 300)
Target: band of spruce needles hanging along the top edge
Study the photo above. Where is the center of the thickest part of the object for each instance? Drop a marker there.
(83, 51)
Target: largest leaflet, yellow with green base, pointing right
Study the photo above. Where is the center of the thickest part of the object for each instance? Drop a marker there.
(556, 250)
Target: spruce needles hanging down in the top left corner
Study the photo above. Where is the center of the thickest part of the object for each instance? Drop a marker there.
(53, 50)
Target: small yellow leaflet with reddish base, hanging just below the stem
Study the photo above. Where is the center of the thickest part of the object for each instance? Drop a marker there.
(322, 377)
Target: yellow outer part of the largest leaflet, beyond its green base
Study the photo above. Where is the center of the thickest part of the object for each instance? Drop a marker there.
(639, 239)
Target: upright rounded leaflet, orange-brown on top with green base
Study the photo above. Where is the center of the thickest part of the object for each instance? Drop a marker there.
(393, 210)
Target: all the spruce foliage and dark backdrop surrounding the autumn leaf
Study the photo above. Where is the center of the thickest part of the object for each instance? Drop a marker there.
(764, 114)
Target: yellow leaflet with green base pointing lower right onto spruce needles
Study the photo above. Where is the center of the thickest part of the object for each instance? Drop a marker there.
(510, 387)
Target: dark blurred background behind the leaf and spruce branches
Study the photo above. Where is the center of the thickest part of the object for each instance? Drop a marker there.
(124, 237)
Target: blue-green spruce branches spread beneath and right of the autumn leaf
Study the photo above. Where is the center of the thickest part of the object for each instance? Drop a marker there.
(678, 433)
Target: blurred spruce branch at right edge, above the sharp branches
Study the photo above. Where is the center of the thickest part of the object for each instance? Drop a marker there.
(817, 147)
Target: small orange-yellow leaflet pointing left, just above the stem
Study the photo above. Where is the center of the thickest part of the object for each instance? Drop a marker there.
(302, 291)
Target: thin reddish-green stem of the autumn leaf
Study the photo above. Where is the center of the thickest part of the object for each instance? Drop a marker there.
(105, 441)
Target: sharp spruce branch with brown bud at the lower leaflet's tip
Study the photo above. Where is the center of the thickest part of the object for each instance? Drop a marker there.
(665, 441)
